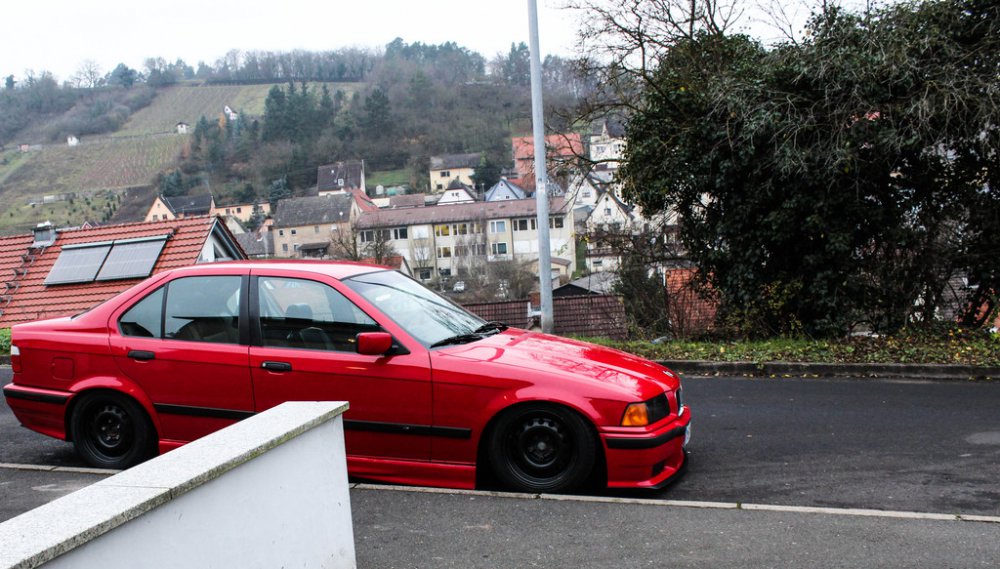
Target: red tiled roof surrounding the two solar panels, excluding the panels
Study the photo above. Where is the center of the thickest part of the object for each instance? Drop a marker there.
(24, 277)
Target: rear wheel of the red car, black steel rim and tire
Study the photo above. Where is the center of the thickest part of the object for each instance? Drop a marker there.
(112, 431)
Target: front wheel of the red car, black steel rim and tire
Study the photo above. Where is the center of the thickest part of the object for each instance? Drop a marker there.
(542, 448)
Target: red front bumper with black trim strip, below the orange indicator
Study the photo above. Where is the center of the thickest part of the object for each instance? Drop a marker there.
(651, 459)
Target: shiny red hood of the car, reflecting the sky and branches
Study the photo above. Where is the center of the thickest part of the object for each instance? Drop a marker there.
(530, 353)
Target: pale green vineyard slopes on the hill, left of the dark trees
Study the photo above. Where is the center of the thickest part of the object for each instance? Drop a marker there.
(129, 158)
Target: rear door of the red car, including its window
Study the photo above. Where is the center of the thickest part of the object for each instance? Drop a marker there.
(185, 345)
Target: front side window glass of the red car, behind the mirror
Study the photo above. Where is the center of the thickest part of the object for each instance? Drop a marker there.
(299, 313)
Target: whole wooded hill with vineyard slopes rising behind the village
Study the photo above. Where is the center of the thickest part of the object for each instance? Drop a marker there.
(290, 112)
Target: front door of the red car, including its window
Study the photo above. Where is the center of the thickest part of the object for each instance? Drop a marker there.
(304, 348)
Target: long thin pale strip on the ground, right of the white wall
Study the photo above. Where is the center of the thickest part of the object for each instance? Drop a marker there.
(858, 512)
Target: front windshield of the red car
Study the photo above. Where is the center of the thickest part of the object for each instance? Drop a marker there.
(429, 318)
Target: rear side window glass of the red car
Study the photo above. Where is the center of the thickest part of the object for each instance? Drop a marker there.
(196, 309)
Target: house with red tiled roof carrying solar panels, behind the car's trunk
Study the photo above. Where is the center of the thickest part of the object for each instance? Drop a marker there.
(51, 273)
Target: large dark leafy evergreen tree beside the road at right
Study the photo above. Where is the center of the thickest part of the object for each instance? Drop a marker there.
(840, 180)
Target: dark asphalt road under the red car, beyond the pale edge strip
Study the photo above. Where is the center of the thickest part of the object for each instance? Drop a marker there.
(887, 445)
